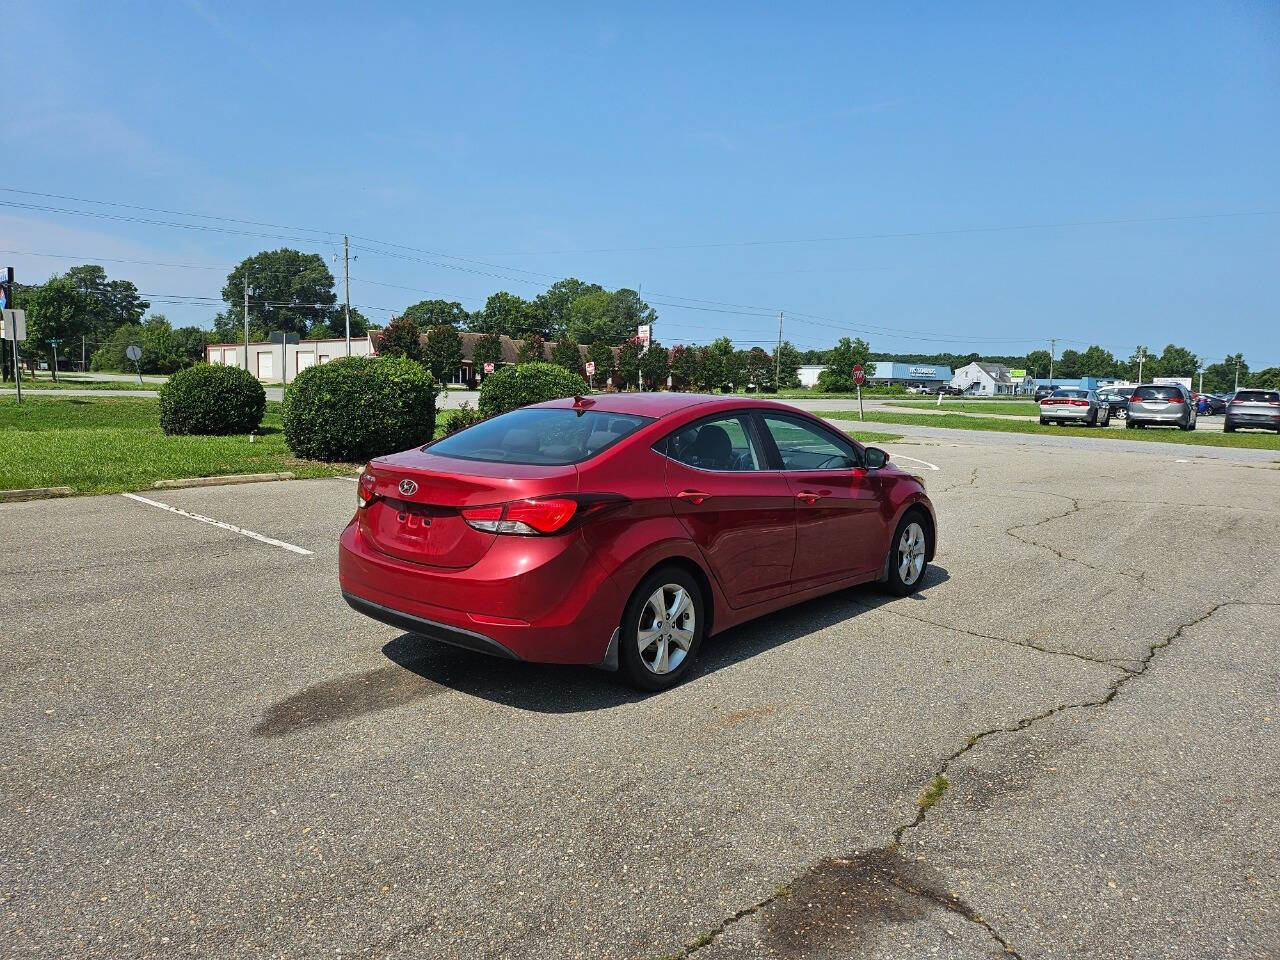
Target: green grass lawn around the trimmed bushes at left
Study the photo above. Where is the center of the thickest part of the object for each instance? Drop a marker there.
(106, 446)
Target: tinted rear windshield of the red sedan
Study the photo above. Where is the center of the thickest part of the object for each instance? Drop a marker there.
(540, 437)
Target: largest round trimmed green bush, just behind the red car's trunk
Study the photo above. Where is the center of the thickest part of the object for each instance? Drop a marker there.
(358, 409)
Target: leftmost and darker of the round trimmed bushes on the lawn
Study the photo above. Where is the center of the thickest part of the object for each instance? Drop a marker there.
(212, 400)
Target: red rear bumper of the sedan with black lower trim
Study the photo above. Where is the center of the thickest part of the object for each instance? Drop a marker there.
(546, 600)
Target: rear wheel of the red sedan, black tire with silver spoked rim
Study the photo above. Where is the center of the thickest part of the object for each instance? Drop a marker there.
(648, 668)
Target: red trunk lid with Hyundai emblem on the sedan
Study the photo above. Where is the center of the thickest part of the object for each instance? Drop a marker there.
(418, 500)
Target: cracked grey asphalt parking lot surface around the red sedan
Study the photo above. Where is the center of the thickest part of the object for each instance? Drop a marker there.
(208, 755)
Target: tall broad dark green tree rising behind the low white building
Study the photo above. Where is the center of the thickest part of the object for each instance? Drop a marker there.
(289, 291)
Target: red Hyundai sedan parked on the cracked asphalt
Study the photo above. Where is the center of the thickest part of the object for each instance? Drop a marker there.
(621, 531)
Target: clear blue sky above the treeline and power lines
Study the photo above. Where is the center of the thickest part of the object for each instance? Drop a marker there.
(692, 152)
